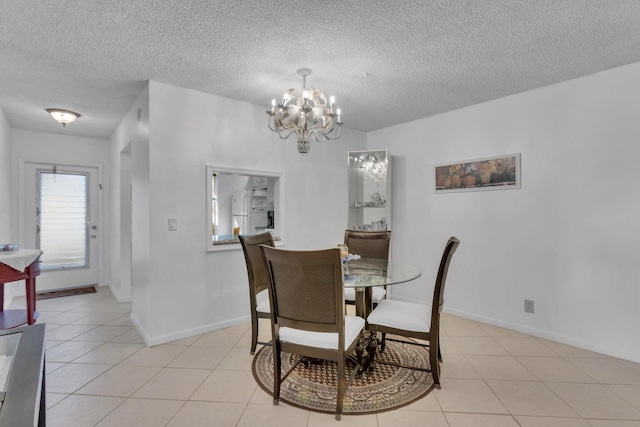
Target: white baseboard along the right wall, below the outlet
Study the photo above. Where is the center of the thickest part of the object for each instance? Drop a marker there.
(564, 339)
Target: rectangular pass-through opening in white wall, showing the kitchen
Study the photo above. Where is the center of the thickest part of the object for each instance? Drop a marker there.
(241, 201)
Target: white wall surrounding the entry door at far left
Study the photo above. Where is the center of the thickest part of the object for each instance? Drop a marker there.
(29, 146)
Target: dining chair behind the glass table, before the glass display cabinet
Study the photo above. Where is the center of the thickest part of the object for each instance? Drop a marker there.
(367, 244)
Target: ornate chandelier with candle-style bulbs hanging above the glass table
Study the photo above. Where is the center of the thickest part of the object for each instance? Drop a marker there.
(305, 113)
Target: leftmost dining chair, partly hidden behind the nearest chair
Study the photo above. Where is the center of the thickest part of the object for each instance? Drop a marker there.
(258, 281)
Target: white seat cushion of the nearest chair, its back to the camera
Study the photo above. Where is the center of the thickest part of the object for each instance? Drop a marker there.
(353, 325)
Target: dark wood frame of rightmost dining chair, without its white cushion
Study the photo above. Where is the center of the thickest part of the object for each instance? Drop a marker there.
(433, 335)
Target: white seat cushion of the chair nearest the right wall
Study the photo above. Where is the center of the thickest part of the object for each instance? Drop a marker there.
(407, 316)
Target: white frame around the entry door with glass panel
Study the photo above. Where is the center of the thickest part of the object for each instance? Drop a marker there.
(20, 199)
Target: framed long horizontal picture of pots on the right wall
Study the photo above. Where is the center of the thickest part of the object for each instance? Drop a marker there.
(488, 173)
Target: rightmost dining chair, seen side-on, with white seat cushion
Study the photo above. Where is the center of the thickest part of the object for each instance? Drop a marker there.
(412, 320)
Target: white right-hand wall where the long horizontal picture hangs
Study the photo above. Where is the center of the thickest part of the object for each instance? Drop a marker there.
(569, 238)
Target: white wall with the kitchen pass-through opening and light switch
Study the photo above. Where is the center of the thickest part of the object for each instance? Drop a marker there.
(183, 289)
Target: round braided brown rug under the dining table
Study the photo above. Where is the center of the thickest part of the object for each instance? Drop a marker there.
(314, 386)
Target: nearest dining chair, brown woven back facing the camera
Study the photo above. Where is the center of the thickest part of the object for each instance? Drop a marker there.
(308, 313)
